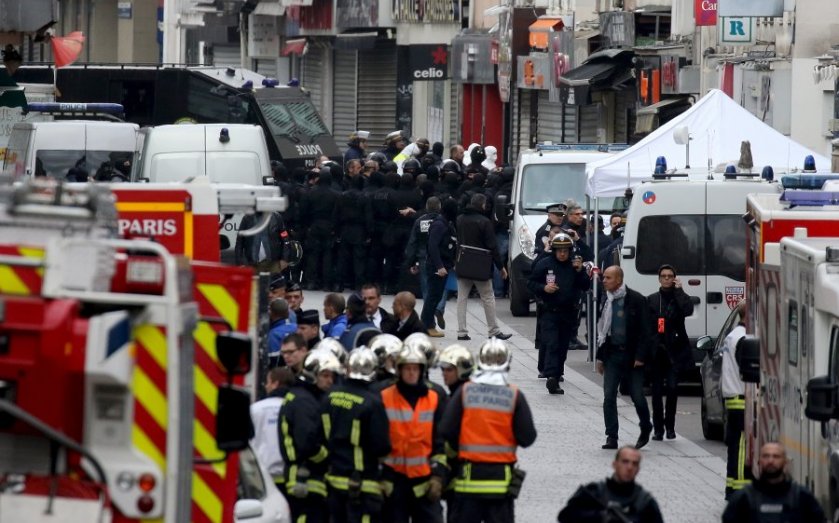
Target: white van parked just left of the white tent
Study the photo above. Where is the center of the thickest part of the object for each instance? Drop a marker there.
(546, 175)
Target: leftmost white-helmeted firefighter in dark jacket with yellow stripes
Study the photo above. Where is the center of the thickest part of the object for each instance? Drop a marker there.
(302, 442)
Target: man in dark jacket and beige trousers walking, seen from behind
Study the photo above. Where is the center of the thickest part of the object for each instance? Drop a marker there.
(475, 230)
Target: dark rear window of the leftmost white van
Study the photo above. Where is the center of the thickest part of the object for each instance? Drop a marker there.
(78, 165)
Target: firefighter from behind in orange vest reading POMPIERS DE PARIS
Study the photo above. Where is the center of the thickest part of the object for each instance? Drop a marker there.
(484, 423)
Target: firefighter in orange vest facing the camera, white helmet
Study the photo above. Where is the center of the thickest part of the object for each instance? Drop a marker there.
(415, 469)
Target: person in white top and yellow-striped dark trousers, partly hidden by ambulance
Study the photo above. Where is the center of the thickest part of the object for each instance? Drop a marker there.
(737, 474)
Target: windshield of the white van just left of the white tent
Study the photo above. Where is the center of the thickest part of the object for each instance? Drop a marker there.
(545, 184)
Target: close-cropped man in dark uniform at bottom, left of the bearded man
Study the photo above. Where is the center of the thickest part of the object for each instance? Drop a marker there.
(617, 498)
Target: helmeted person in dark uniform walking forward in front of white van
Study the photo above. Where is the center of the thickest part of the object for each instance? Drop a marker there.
(558, 281)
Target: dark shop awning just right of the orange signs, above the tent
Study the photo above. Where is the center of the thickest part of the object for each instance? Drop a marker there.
(602, 70)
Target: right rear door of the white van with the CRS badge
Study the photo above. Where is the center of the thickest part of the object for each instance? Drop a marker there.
(725, 252)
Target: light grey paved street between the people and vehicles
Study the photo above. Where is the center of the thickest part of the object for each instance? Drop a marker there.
(686, 475)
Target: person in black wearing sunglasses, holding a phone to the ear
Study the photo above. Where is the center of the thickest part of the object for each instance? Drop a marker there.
(671, 351)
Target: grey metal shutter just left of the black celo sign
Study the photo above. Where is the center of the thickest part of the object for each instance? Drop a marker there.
(377, 91)
